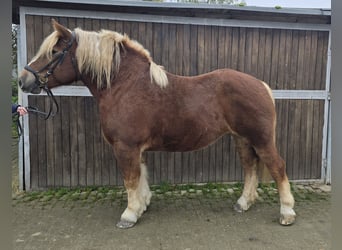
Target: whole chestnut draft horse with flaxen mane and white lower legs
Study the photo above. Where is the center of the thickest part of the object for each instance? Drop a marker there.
(142, 107)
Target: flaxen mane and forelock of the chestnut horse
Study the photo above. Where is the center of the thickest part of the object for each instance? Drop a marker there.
(98, 53)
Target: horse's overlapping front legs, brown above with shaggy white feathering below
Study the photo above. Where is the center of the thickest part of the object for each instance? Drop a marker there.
(135, 179)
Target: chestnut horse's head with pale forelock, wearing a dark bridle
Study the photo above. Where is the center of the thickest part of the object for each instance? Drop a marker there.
(54, 64)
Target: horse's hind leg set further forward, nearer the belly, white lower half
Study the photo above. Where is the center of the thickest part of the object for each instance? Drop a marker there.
(249, 161)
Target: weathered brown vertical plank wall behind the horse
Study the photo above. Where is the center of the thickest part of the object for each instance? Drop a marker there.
(69, 151)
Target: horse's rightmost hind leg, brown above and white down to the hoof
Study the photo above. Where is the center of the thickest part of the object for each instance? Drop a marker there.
(276, 165)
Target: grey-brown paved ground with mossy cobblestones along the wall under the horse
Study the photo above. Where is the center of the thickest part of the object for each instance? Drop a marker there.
(188, 218)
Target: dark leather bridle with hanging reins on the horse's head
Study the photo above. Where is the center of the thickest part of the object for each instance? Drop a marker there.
(41, 81)
